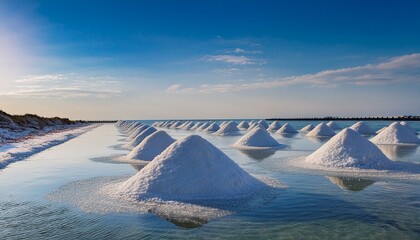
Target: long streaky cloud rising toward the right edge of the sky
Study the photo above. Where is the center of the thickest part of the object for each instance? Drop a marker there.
(404, 68)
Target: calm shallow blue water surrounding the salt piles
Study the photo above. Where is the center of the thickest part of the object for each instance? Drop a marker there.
(313, 206)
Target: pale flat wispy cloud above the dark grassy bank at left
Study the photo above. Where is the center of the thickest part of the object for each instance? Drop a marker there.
(65, 86)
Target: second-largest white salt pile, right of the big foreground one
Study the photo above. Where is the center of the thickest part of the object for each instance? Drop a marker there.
(349, 149)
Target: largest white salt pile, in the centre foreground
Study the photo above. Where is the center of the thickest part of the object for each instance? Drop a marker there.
(191, 168)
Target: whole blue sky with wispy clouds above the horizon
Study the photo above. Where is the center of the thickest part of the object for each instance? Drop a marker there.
(209, 59)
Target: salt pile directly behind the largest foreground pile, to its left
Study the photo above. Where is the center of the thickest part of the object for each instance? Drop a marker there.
(151, 146)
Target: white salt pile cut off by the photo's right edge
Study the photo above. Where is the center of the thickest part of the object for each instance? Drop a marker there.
(396, 134)
